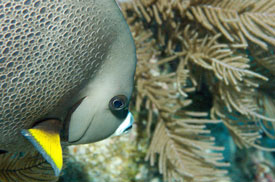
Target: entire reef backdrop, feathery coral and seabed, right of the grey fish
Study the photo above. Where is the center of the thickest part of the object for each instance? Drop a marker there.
(204, 98)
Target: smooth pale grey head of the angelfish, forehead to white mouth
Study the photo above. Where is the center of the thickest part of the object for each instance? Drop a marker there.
(103, 110)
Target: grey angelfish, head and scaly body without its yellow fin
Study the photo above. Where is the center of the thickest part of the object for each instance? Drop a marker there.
(67, 60)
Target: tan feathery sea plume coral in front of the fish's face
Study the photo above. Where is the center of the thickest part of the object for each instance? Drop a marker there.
(185, 47)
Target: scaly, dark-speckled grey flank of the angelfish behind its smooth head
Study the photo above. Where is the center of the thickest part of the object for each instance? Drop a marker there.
(48, 49)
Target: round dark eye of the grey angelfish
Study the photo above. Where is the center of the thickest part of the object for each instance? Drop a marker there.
(119, 106)
